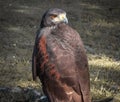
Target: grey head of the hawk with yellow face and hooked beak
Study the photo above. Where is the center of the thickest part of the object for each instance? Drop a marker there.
(53, 17)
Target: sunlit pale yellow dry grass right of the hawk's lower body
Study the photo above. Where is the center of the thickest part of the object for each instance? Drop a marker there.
(105, 73)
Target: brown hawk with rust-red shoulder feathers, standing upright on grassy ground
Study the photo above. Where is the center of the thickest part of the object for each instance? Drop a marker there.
(59, 59)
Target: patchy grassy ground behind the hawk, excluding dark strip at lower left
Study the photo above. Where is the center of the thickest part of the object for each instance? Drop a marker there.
(97, 21)
